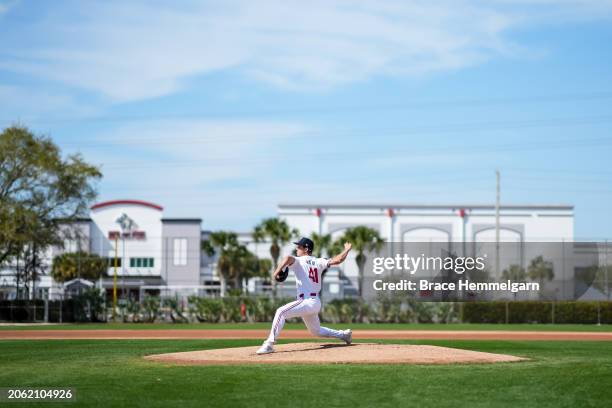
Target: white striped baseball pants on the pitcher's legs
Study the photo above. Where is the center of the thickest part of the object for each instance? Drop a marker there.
(308, 309)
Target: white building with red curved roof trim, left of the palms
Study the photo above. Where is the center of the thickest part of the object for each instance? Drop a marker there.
(148, 252)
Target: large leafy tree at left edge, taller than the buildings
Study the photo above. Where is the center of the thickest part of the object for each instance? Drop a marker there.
(39, 191)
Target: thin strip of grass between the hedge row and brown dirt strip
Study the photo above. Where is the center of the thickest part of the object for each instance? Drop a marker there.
(293, 326)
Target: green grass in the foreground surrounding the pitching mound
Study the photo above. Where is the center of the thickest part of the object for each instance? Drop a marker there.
(113, 373)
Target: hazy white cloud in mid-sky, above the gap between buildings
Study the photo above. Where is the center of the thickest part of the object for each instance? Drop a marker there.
(191, 153)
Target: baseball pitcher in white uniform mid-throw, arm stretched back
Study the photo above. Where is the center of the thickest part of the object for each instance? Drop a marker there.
(307, 270)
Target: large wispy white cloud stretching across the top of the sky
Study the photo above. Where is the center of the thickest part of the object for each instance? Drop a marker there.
(130, 51)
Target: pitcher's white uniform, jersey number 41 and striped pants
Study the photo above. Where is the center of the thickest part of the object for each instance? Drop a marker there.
(307, 270)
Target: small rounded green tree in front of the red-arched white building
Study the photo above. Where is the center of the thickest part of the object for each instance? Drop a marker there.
(72, 265)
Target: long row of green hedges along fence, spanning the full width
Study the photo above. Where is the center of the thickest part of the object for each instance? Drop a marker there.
(385, 309)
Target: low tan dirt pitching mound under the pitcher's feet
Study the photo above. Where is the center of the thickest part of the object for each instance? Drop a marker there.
(317, 353)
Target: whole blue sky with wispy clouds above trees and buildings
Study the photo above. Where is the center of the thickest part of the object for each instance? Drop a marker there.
(221, 110)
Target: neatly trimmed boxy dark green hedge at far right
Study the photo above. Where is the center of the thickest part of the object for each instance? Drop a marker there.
(538, 312)
